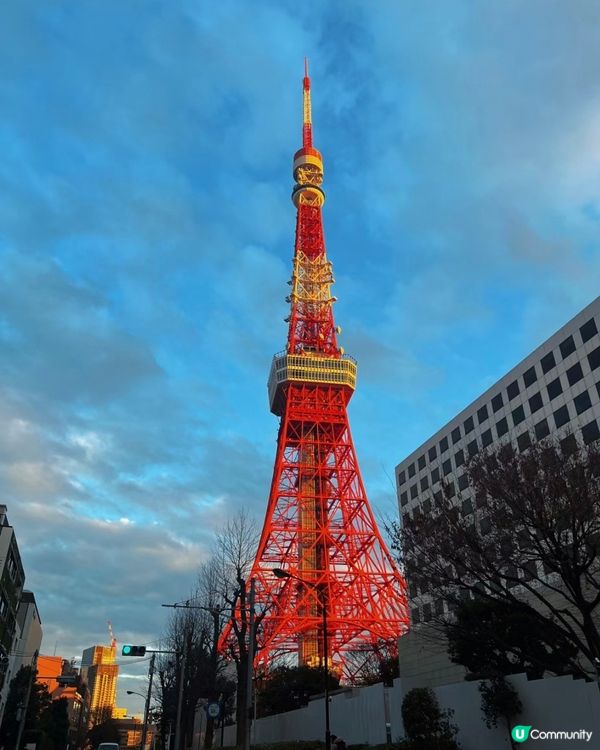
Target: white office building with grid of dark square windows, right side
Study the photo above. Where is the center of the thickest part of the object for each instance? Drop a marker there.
(555, 391)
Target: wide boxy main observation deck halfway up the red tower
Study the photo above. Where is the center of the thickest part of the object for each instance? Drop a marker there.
(308, 368)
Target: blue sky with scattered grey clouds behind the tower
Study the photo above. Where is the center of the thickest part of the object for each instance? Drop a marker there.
(146, 236)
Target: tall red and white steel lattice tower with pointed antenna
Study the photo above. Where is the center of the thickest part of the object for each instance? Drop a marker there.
(319, 526)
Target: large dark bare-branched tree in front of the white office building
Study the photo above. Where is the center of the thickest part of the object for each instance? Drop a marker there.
(533, 536)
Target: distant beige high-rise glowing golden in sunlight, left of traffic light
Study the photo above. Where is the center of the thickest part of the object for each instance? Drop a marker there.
(100, 671)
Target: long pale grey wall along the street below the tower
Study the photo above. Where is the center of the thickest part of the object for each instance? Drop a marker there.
(359, 715)
